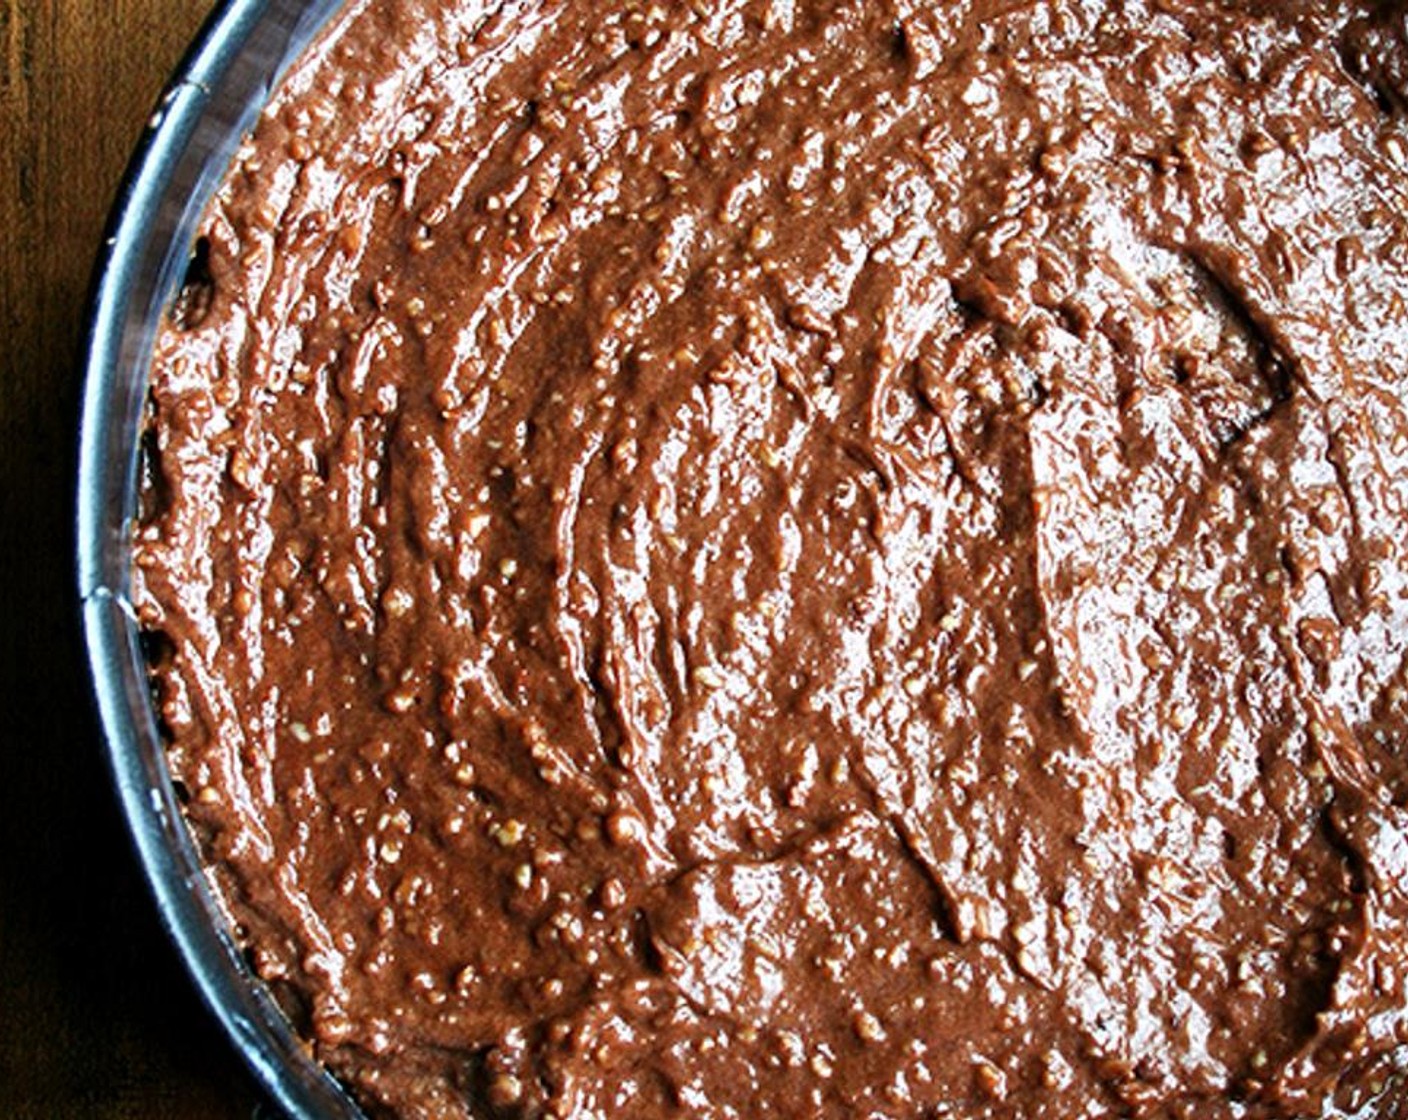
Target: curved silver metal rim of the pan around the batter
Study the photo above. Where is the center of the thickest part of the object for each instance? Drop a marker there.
(215, 98)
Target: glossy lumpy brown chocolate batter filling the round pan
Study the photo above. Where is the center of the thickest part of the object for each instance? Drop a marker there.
(807, 560)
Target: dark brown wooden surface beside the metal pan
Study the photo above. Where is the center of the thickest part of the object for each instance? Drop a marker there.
(96, 1016)
